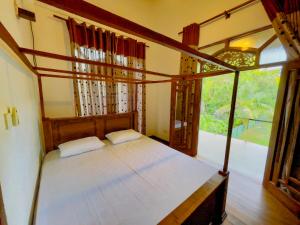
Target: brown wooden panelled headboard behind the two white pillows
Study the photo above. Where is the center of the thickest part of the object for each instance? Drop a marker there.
(60, 130)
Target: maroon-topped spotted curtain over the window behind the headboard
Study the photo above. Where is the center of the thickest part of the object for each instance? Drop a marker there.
(106, 97)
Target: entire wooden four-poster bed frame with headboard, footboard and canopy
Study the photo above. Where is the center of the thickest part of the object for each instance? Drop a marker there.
(206, 203)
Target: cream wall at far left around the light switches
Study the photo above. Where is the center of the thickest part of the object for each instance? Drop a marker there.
(20, 146)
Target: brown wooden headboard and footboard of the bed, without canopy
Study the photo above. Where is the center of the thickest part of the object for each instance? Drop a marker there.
(206, 205)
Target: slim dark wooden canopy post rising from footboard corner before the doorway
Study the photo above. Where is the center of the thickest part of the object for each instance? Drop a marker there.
(224, 172)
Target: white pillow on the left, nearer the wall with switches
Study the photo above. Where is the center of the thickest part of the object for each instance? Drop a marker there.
(80, 146)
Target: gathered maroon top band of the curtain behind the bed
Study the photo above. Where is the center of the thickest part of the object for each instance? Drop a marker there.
(92, 37)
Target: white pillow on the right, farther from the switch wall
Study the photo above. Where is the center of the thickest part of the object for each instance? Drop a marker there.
(121, 136)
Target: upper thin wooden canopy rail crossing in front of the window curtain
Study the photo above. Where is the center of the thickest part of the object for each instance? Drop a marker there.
(86, 61)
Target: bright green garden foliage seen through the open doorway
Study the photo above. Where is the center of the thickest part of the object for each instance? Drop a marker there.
(256, 98)
